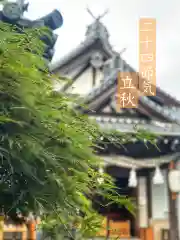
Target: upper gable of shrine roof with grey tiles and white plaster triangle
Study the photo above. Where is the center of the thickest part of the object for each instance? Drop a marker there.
(94, 67)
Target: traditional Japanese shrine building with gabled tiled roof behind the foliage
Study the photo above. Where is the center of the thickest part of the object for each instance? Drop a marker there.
(140, 168)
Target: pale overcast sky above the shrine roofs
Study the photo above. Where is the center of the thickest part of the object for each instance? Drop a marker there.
(122, 24)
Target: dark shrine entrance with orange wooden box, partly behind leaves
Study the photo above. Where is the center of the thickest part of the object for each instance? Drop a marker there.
(118, 216)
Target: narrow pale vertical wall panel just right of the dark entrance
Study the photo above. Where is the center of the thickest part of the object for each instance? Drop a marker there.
(142, 195)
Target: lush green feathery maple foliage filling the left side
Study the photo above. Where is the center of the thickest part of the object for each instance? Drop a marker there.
(47, 159)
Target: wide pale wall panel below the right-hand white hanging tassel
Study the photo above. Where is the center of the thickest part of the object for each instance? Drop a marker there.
(160, 205)
